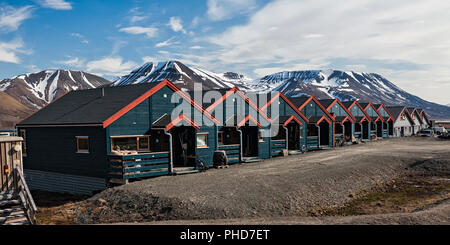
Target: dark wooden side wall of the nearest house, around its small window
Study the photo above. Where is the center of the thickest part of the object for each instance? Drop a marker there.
(54, 150)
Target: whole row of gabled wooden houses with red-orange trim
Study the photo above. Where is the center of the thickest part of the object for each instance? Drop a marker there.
(87, 139)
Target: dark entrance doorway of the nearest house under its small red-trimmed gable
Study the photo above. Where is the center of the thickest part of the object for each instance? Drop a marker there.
(183, 146)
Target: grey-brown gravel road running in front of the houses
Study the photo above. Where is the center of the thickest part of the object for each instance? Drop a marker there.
(290, 186)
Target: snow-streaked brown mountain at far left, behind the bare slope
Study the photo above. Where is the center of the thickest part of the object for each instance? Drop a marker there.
(36, 90)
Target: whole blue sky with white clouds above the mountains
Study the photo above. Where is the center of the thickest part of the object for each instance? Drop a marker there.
(407, 41)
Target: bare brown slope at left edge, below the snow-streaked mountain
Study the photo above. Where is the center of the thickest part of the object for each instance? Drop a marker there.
(11, 111)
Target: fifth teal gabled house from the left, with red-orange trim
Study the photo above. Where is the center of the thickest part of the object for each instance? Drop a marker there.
(344, 122)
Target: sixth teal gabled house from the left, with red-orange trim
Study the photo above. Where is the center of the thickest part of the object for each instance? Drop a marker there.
(362, 120)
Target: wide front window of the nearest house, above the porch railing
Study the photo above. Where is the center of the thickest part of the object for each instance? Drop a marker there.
(128, 143)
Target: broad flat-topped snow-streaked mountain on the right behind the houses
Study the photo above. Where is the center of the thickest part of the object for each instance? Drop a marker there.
(345, 85)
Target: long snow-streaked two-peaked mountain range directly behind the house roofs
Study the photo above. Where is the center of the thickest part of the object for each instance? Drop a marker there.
(324, 84)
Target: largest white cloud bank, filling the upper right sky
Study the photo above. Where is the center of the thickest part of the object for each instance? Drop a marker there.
(404, 31)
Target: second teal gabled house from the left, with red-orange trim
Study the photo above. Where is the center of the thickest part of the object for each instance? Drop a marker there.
(243, 131)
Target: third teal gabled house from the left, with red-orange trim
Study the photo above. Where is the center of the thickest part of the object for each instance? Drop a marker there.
(290, 123)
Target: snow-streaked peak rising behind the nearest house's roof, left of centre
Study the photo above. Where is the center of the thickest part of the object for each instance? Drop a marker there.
(183, 76)
